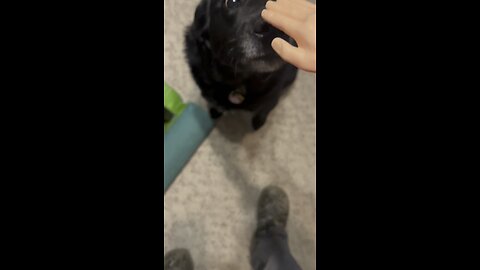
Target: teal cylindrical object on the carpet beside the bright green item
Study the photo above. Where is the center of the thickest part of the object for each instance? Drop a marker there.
(182, 140)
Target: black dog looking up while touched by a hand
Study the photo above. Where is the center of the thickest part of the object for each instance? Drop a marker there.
(229, 51)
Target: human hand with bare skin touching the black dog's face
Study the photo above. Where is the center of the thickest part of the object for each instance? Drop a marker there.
(296, 18)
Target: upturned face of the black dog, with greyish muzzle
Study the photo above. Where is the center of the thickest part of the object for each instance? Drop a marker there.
(239, 36)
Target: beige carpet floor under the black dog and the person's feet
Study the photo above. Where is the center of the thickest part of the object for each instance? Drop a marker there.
(210, 209)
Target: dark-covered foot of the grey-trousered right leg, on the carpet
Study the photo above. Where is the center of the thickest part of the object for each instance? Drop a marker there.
(272, 209)
